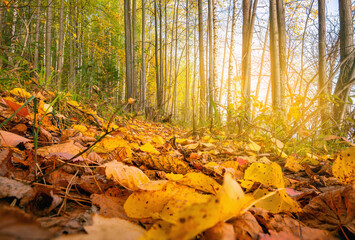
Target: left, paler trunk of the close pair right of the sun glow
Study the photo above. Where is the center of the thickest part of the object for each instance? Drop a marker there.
(275, 57)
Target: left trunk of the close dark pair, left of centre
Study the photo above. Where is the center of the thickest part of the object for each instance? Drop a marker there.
(128, 47)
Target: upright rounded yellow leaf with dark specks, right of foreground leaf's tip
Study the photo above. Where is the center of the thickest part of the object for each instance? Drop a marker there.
(267, 174)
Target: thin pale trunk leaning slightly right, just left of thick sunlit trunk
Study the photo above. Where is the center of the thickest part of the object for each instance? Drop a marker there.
(230, 67)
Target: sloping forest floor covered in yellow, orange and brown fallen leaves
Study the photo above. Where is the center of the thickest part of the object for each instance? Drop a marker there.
(75, 175)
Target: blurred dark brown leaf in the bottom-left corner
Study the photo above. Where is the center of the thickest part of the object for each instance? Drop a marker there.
(15, 224)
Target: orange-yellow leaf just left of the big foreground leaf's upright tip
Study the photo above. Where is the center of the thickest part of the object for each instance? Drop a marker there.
(201, 182)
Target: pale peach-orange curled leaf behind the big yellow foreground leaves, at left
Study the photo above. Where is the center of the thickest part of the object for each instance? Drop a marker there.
(127, 176)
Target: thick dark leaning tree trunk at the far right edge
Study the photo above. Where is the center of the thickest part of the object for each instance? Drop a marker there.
(346, 76)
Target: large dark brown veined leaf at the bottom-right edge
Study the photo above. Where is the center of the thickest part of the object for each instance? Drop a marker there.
(332, 209)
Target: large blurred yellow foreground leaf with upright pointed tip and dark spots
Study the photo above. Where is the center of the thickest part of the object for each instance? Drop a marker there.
(229, 202)
